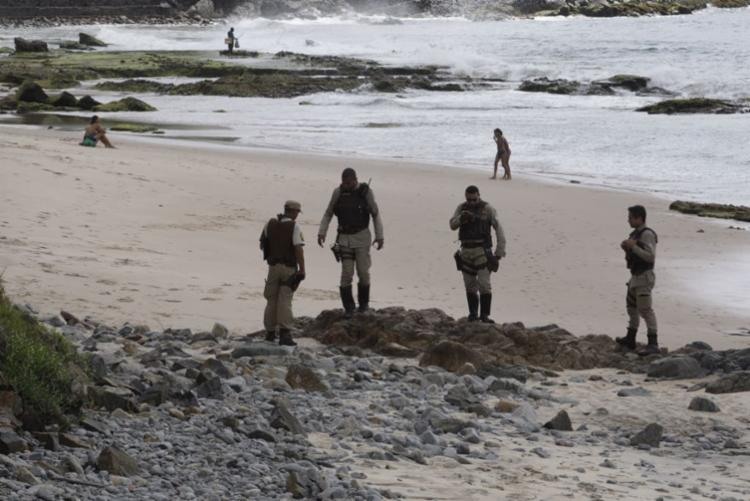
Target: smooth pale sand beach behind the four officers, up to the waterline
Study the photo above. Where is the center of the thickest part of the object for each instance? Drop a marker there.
(167, 233)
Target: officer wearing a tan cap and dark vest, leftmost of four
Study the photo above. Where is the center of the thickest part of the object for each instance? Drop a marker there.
(282, 244)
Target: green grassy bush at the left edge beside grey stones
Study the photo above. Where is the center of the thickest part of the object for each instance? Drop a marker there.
(39, 364)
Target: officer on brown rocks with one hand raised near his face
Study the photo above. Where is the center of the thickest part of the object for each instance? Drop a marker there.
(474, 219)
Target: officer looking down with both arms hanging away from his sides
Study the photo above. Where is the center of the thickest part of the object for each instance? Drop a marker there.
(353, 203)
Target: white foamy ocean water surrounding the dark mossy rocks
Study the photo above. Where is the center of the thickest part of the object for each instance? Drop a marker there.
(592, 139)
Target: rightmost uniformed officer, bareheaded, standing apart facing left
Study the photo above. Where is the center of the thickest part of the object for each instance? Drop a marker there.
(640, 255)
